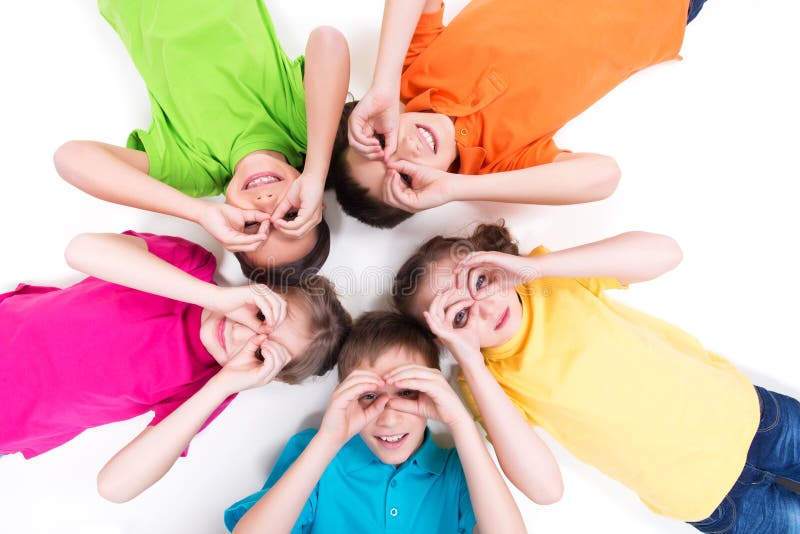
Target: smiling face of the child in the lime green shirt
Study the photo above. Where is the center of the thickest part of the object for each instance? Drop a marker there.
(259, 182)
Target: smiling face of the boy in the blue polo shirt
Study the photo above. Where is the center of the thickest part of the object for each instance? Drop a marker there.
(393, 436)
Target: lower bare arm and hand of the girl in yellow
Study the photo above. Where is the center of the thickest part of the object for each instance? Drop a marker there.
(523, 456)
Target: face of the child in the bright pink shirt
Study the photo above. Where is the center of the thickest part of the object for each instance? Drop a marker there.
(223, 338)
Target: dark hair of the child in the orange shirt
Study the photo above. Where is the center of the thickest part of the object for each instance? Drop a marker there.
(352, 196)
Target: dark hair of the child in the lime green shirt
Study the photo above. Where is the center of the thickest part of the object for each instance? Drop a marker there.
(293, 273)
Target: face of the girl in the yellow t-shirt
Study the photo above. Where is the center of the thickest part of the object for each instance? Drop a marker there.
(484, 303)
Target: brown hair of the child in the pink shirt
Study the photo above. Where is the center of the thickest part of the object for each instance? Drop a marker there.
(327, 322)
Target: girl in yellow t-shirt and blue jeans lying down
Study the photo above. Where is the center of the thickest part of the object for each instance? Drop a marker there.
(634, 396)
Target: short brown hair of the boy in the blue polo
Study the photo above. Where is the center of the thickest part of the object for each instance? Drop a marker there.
(376, 332)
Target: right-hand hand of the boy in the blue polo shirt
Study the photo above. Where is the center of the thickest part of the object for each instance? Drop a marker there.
(435, 399)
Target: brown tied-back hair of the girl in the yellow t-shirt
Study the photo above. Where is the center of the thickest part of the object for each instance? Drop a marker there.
(491, 237)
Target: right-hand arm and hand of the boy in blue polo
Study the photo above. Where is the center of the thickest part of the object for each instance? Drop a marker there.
(494, 507)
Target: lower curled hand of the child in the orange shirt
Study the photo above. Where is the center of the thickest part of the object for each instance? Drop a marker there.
(414, 188)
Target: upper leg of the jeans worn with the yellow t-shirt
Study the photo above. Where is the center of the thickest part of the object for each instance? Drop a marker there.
(776, 445)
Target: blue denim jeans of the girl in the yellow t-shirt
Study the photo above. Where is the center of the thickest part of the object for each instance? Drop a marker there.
(757, 504)
